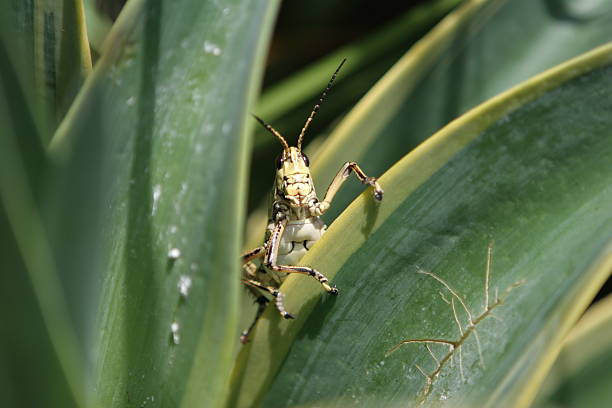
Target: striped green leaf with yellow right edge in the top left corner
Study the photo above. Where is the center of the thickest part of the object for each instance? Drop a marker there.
(51, 38)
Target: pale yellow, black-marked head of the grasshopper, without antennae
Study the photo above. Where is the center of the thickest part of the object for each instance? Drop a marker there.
(293, 181)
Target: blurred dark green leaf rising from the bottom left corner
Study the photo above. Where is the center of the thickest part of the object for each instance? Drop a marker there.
(40, 360)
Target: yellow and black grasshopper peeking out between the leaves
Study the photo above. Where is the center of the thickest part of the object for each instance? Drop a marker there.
(294, 222)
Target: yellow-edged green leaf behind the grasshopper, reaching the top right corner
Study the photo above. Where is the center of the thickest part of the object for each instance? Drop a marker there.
(477, 51)
